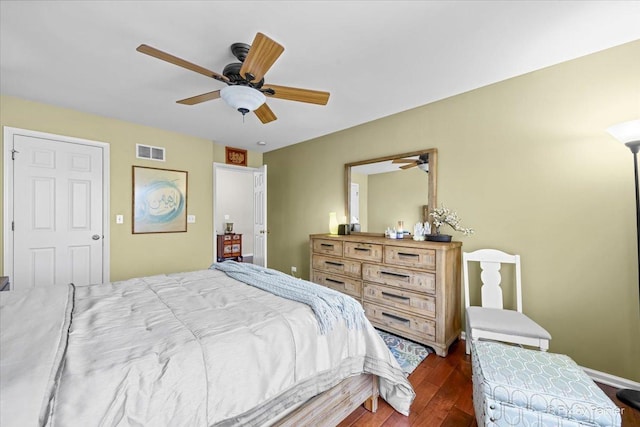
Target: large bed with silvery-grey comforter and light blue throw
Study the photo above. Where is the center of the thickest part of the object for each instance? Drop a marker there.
(200, 348)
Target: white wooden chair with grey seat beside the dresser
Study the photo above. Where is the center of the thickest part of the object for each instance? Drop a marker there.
(491, 321)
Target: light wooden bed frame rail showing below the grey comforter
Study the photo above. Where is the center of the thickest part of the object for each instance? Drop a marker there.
(335, 404)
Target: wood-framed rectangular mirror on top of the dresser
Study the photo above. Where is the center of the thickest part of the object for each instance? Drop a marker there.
(380, 192)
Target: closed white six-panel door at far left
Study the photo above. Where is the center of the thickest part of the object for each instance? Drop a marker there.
(57, 217)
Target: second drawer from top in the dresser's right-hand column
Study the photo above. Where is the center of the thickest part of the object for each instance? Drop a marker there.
(421, 281)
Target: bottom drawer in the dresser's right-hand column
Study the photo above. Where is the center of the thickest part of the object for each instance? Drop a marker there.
(410, 326)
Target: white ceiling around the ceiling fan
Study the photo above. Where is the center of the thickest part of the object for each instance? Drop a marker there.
(376, 58)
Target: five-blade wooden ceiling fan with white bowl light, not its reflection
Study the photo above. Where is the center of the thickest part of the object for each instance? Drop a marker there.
(245, 90)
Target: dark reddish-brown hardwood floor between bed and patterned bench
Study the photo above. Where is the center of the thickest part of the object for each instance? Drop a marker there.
(444, 397)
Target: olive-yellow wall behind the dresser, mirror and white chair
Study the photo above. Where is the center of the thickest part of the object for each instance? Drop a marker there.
(527, 163)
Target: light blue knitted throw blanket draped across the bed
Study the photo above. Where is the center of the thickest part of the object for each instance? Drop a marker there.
(328, 305)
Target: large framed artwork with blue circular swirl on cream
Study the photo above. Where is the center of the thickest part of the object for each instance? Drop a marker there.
(159, 200)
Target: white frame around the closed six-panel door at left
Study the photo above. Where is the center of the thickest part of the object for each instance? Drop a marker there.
(8, 135)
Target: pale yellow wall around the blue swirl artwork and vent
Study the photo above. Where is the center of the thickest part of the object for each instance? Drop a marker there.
(140, 254)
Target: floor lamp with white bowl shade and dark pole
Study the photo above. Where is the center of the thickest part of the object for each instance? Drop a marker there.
(629, 134)
